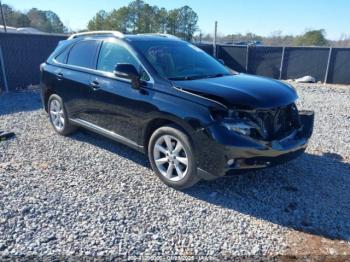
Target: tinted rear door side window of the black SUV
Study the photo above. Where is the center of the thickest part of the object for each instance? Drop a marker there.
(82, 54)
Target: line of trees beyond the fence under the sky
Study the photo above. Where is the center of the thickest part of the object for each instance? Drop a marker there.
(140, 17)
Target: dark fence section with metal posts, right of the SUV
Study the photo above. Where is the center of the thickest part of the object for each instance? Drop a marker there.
(326, 64)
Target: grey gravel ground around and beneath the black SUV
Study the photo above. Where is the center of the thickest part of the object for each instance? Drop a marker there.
(86, 195)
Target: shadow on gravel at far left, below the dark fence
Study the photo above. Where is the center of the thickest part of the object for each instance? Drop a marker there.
(14, 102)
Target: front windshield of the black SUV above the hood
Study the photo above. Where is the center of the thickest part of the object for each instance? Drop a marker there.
(180, 60)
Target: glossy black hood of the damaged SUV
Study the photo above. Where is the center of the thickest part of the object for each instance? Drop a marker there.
(241, 90)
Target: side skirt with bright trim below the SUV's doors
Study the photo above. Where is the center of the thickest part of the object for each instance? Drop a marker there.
(107, 133)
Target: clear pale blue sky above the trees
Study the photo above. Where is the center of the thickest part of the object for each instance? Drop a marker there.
(262, 17)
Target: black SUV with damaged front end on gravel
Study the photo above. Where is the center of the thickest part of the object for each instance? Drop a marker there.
(195, 118)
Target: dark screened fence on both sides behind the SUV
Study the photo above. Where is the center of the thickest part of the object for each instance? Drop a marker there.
(22, 54)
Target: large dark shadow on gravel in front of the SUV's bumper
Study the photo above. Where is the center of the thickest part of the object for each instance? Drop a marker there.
(310, 194)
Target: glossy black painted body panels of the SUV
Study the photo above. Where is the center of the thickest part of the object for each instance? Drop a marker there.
(115, 106)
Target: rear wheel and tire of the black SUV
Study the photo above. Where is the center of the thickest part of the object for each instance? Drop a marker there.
(59, 117)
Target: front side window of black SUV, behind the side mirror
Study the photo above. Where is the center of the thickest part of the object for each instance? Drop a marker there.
(112, 54)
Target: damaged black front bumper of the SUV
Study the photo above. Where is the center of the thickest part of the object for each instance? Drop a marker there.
(220, 150)
